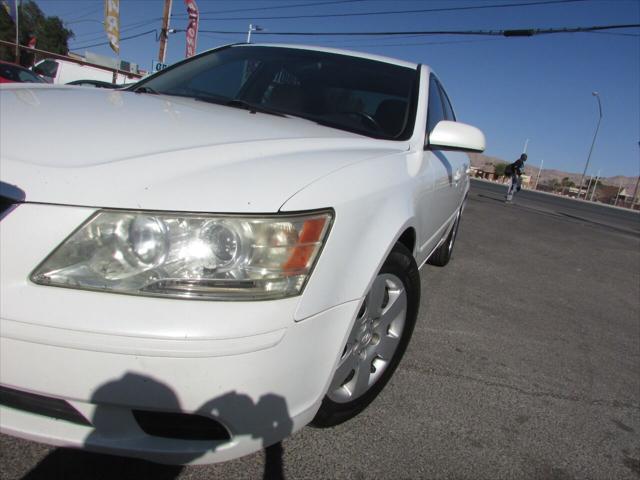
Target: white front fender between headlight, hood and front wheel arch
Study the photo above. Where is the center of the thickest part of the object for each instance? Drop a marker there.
(374, 204)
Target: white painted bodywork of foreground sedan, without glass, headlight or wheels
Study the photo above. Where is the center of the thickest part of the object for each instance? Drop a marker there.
(240, 362)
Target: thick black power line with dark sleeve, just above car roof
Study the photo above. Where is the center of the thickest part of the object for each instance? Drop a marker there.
(528, 32)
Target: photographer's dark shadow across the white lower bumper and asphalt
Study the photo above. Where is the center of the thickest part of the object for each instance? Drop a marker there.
(267, 421)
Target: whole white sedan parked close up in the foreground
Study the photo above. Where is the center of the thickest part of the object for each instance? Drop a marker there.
(197, 267)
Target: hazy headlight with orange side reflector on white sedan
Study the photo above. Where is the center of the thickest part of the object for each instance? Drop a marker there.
(188, 255)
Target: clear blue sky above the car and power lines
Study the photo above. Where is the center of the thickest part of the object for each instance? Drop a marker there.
(512, 88)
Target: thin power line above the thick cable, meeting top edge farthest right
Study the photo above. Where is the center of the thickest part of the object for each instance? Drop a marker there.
(398, 12)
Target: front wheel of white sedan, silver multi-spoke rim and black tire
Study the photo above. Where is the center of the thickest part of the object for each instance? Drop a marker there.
(377, 341)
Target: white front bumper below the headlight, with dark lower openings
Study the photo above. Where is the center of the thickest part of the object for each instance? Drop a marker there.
(248, 365)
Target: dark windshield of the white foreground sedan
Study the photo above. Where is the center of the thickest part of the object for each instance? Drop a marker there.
(369, 97)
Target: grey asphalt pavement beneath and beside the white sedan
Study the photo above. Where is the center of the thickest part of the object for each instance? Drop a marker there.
(525, 363)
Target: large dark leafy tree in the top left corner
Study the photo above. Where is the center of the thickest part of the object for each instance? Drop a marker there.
(50, 33)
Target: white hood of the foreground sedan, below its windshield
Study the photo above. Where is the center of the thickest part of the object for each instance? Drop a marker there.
(100, 148)
